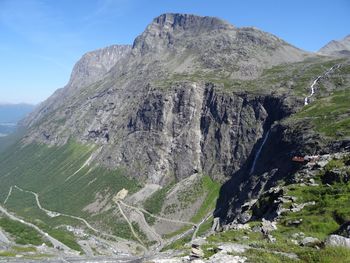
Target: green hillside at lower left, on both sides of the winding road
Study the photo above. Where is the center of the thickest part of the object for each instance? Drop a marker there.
(63, 183)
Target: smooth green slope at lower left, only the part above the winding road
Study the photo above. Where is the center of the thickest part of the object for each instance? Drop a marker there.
(62, 176)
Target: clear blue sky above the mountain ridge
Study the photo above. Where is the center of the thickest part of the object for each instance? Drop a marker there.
(40, 40)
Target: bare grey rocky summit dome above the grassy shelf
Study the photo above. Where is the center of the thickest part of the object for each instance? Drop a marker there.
(186, 43)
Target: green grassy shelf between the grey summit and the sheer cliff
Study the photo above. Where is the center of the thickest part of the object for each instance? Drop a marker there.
(293, 79)
